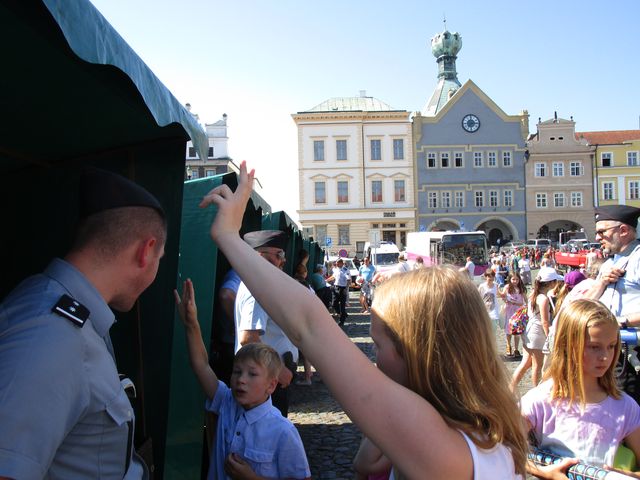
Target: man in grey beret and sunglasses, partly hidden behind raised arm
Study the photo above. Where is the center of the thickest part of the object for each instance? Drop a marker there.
(254, 325)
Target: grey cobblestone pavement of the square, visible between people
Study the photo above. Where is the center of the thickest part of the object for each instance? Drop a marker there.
(329, 437)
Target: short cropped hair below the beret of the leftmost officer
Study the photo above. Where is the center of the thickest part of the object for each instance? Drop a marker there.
(111, 231)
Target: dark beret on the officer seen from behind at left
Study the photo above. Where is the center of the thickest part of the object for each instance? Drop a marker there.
(103, 190)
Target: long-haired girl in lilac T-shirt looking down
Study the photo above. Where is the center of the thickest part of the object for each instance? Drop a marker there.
(578, 411)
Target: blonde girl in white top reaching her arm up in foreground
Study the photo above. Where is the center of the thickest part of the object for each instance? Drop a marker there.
(424, 406)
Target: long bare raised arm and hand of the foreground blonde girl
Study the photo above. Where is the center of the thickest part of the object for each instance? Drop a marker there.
(409, 431)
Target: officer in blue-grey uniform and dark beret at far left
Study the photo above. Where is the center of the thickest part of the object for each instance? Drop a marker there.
(63, 410)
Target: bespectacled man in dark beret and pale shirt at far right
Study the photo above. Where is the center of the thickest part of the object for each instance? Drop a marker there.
(618, 283)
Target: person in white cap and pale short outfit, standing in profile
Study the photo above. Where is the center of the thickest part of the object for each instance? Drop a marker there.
(535, 335)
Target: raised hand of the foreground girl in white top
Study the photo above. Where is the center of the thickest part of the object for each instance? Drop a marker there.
(231, 205)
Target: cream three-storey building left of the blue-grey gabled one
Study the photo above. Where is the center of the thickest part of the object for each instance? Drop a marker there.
(355, 172)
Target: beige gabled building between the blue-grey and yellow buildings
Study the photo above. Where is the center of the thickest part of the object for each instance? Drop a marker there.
(559, 179)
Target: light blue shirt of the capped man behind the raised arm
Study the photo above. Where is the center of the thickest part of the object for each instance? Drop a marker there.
(249, 315)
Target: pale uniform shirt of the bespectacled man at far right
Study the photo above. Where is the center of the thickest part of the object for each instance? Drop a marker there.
(623, 297)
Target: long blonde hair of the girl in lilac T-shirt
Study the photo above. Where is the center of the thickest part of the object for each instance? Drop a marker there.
(565, 368)
